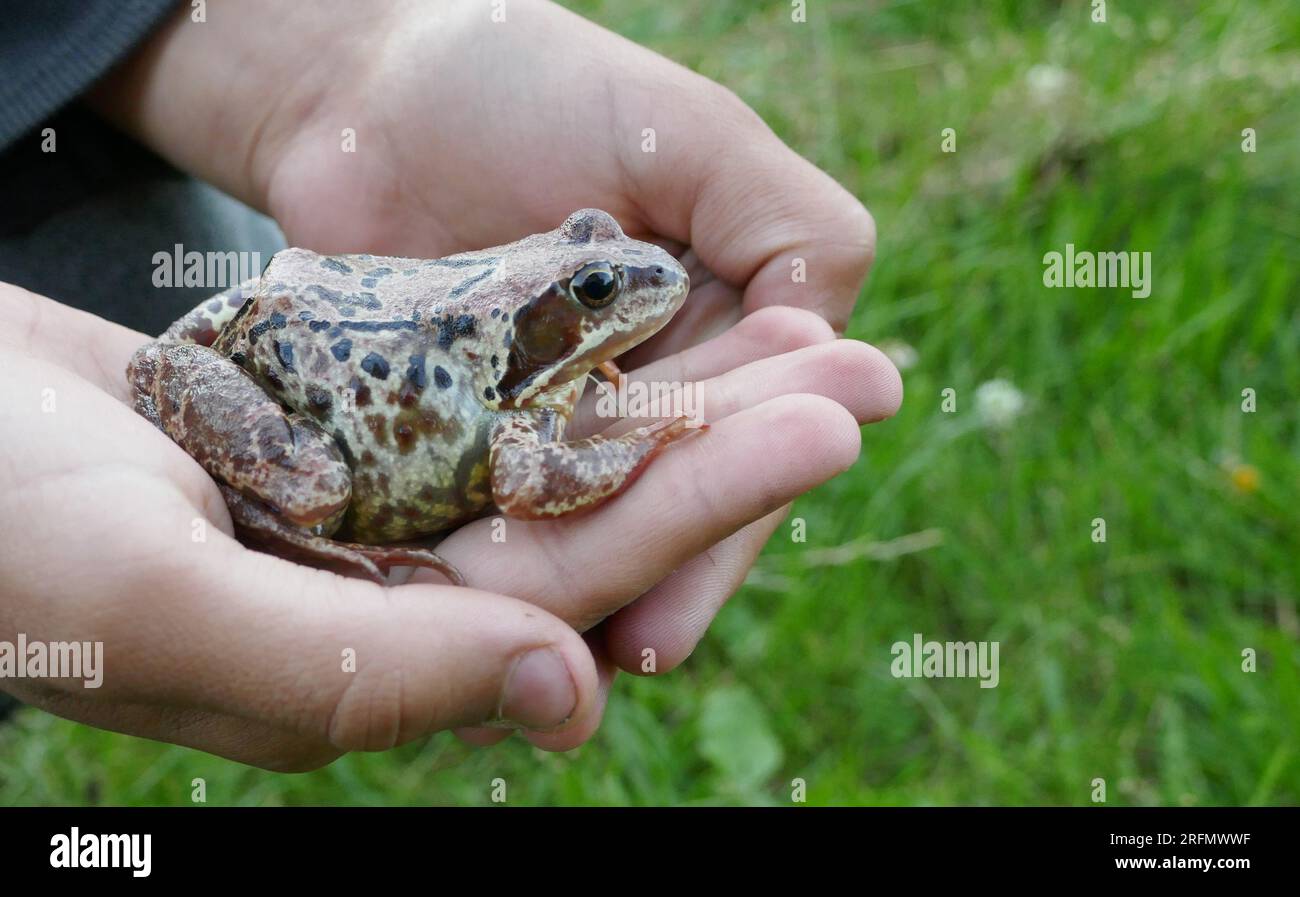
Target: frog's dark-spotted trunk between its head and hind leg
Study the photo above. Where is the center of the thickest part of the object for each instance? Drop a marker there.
(363, 346)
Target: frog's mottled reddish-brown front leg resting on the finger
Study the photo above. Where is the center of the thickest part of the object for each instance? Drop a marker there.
(534, 476)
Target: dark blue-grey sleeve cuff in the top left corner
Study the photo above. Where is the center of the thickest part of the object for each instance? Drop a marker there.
(54, 50)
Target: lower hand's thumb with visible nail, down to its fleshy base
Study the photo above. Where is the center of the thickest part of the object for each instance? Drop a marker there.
(358, 666)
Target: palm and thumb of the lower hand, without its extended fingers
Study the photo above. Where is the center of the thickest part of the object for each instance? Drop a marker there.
(112, 535)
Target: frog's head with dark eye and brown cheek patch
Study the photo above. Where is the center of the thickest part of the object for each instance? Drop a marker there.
(595, 294)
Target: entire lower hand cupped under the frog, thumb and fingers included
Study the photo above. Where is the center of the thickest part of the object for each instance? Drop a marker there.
(115, 535)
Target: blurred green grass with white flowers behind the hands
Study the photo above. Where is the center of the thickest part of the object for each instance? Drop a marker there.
(1119, 661)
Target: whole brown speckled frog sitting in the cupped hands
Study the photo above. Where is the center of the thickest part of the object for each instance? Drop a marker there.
(356, 409)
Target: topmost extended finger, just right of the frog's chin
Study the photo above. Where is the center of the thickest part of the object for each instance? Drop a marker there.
(765, 333)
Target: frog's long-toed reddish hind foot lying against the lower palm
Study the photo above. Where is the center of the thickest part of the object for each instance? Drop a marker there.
(265, 528)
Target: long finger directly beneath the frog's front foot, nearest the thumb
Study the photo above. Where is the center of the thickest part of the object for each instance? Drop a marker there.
(696, 495)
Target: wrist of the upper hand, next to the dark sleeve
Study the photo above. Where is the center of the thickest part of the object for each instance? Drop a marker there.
(223, 98)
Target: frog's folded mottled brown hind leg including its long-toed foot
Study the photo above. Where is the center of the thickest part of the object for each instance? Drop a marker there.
(285, 482)
